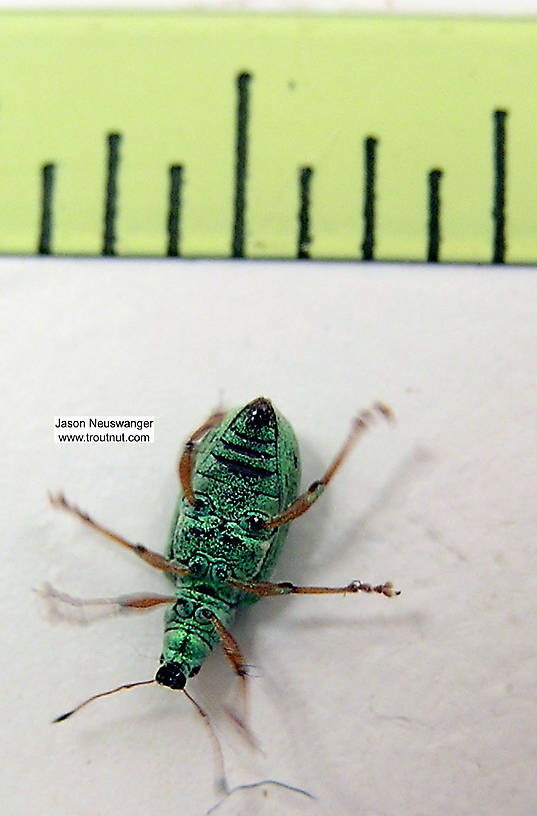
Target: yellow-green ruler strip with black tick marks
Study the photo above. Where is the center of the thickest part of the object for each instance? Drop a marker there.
(260, 136)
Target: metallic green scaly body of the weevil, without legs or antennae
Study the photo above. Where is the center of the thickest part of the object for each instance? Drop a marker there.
(246, 470)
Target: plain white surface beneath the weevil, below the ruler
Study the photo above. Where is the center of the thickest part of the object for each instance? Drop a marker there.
(423, 704)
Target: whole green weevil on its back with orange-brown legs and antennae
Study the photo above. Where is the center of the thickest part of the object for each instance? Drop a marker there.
(240, 476)
